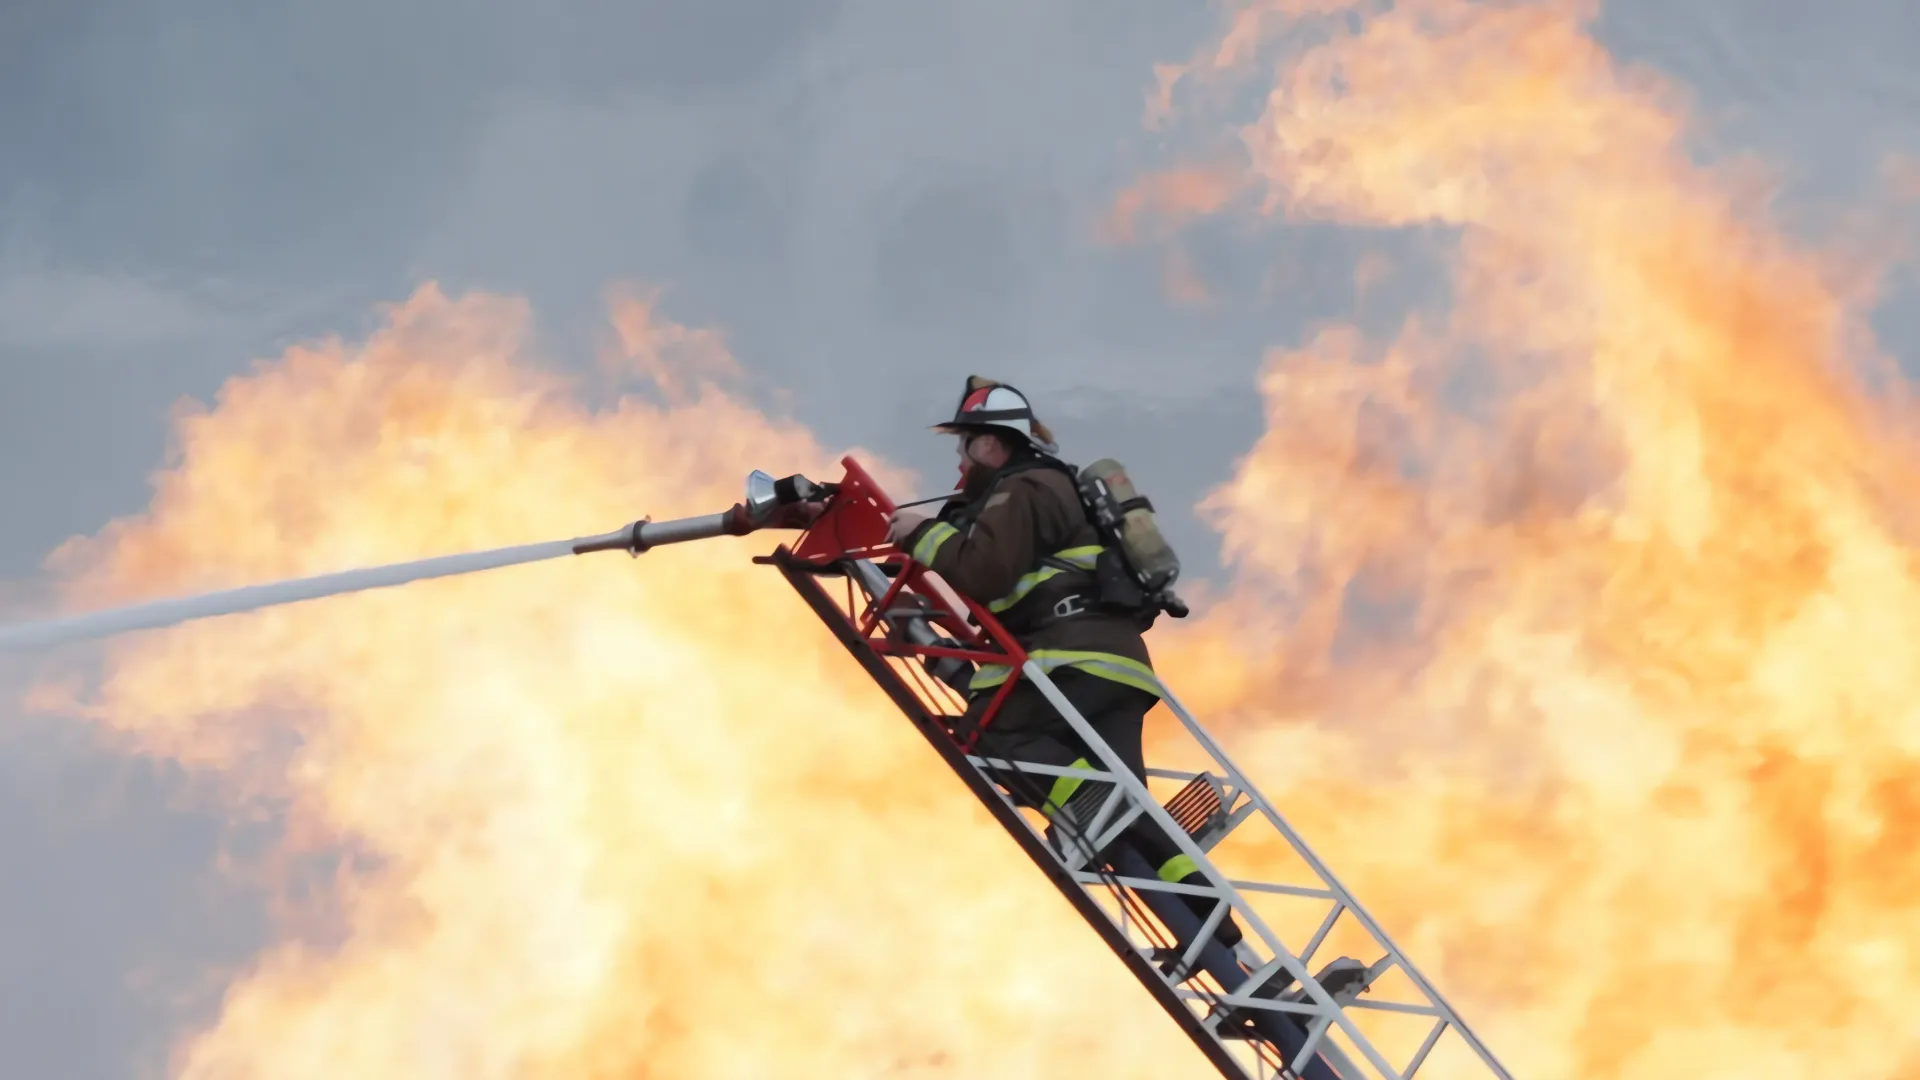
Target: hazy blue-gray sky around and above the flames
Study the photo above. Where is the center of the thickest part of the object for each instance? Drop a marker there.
(894, 193)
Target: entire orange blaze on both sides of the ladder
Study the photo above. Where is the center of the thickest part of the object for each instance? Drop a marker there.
(1579, 627)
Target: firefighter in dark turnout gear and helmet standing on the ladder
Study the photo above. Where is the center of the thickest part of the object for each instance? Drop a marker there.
(1019, 541)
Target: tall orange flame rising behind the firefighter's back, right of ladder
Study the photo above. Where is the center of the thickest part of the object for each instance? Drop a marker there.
(1598, 658)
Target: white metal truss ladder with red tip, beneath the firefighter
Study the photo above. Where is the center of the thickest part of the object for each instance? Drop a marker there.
(1257, 1012)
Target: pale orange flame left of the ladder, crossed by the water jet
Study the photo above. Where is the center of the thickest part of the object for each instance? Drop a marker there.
(608, 818)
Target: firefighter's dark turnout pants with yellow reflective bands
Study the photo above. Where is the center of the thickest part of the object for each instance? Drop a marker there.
(1030, 729)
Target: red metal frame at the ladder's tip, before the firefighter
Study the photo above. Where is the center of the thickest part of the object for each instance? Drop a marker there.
(855, 528)
